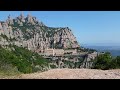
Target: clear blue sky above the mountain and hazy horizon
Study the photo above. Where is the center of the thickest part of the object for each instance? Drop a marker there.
(89, 27)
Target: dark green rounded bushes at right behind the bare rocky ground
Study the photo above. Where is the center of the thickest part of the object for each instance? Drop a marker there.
(106, 61)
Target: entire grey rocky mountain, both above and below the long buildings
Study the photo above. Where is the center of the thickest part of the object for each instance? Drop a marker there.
(34, 35)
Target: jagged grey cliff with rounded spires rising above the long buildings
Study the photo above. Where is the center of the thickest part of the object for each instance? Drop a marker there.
(30, 33)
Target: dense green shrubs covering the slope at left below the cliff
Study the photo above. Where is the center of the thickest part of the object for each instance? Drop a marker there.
(24, 60)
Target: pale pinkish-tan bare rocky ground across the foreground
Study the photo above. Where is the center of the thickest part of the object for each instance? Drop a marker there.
(72, 74)
